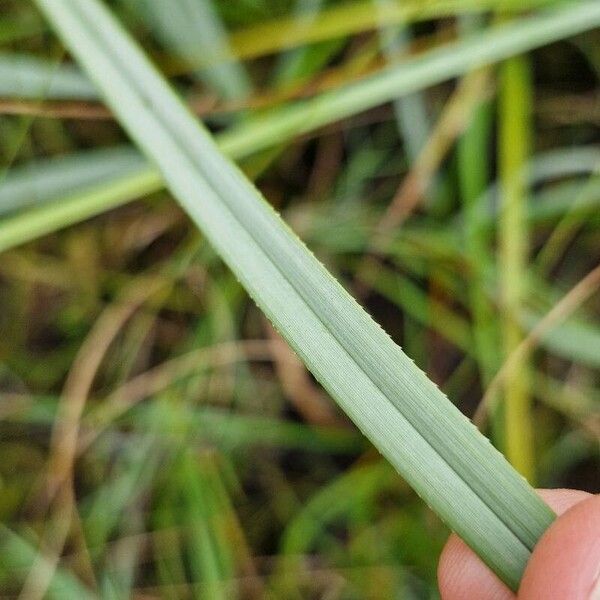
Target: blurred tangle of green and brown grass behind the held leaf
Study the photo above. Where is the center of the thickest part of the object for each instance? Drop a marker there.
(158, 438)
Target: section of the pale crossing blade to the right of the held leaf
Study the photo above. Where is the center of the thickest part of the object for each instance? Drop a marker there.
(440, 64)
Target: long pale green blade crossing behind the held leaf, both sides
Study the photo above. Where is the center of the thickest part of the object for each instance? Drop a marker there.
(276, 127)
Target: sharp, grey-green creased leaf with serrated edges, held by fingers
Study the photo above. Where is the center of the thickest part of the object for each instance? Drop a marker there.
(426, 438)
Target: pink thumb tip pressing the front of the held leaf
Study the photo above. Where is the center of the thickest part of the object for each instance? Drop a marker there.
(566, 561)
